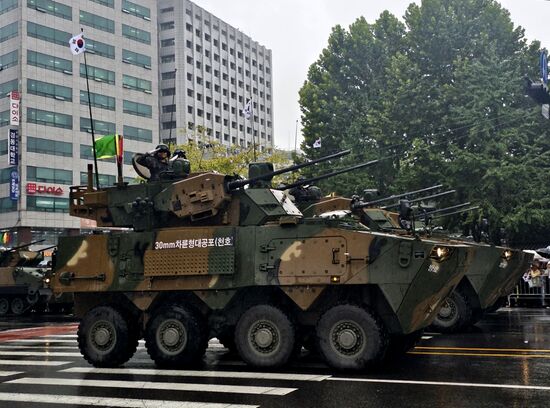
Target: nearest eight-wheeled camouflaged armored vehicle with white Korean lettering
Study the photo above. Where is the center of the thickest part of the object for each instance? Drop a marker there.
(213, 255)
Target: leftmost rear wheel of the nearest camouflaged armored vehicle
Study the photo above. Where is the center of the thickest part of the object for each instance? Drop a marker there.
(105, 338)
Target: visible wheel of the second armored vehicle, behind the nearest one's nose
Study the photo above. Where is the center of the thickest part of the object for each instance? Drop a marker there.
(454, 315)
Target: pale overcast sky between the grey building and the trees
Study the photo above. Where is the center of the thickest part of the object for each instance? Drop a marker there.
(297, 30)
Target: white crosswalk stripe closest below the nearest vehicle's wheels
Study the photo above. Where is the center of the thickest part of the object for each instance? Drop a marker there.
(196, 373)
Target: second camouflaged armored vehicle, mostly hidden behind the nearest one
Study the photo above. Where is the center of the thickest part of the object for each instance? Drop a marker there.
(491, 274)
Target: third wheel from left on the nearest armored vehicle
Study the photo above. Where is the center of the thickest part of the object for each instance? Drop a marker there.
(265, 336)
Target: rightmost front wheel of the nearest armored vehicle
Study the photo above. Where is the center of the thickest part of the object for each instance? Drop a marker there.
(350, 338)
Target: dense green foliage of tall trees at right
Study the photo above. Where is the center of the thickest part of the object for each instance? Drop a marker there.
(438, 99)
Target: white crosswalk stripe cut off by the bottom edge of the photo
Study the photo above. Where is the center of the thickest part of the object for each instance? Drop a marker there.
(110, 402)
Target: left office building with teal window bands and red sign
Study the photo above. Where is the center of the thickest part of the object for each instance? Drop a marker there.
(54, 139)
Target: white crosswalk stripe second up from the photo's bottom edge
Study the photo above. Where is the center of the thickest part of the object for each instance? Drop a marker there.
(147, 385)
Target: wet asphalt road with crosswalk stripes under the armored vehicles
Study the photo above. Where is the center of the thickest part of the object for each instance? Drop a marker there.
(503, 361)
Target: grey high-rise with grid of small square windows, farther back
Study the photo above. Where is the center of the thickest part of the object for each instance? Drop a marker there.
(208, 72)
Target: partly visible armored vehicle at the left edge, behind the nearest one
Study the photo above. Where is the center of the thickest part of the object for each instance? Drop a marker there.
(22, 284)
